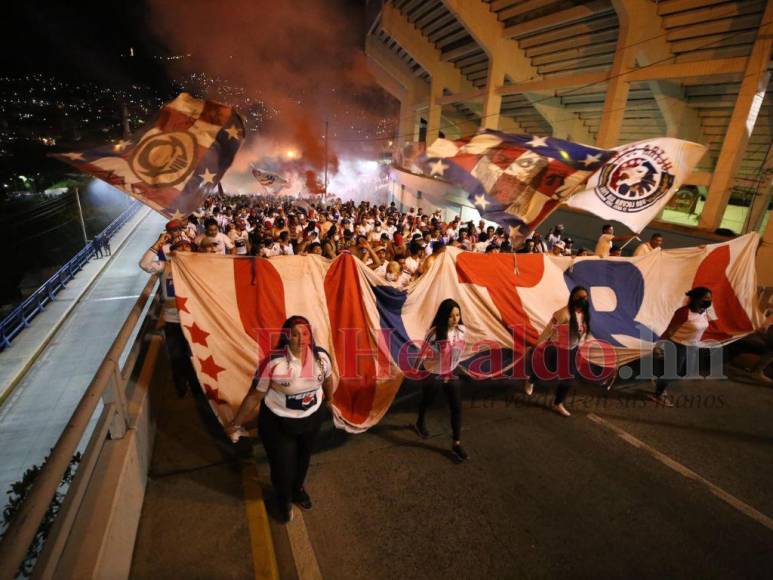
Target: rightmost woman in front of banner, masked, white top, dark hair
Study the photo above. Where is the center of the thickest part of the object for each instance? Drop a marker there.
(685, 331)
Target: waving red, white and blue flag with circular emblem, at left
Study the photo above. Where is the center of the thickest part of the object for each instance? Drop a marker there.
(174, 163)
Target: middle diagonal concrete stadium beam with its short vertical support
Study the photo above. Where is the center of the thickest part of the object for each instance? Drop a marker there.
(507, 59)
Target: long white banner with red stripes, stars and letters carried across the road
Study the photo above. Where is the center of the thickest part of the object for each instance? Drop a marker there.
(232, 307)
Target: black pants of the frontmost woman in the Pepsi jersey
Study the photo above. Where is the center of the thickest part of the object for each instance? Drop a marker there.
(288, 444)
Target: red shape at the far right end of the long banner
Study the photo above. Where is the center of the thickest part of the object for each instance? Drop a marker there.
(732, 319)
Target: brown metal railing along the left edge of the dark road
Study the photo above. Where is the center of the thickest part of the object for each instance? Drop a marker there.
(109, 385)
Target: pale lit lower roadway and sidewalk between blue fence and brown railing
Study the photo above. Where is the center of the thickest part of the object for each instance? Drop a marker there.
(75, 332)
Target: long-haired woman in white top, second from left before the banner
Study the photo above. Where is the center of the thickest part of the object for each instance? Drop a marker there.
(441, 355)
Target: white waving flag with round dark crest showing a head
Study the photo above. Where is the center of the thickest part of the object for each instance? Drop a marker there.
(637, 183)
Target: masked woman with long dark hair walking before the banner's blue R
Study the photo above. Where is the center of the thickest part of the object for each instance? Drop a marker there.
(567, 330)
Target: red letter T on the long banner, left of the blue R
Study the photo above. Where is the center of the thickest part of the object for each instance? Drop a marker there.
(497, 273)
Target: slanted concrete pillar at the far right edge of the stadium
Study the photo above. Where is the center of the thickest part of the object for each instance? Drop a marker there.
(747, 106)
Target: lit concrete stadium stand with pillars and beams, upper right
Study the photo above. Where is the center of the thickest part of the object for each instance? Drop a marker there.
(603, 72)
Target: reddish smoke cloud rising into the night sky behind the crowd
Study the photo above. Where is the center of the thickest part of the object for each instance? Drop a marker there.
(302, 58)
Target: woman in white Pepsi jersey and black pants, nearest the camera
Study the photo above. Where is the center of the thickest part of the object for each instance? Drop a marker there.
(291, 384)
